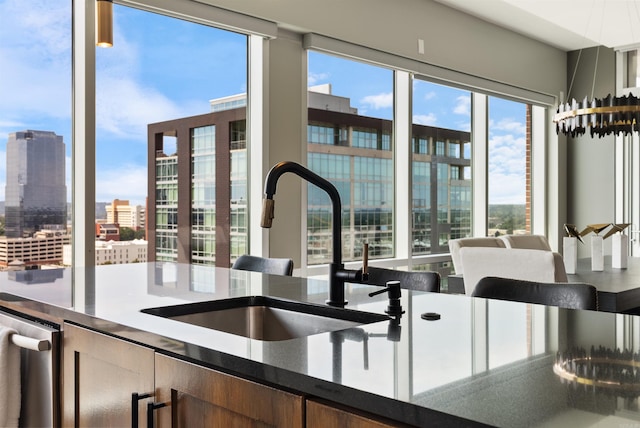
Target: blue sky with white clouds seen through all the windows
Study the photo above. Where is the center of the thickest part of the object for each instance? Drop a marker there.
(162, 68)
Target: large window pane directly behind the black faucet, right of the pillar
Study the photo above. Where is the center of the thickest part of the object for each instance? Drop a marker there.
(350, 122)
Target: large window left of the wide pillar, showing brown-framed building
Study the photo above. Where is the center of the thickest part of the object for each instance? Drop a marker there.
(174, 93)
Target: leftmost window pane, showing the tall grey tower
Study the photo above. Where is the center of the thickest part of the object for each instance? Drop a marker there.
(35, 125)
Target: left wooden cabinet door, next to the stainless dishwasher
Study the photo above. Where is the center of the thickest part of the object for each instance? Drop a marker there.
(100, 375)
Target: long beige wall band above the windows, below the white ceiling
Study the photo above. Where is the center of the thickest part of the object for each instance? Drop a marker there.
(452, 39)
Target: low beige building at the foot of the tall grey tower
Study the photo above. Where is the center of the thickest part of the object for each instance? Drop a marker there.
(45, 247)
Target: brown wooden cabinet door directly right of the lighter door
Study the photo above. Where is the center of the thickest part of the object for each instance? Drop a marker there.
(200, 397)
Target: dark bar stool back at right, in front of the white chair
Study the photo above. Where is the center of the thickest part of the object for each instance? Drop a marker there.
(564, 294)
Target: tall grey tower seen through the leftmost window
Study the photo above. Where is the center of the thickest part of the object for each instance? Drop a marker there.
(35, 193)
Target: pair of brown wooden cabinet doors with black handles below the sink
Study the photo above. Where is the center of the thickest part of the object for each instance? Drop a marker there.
(102, 372)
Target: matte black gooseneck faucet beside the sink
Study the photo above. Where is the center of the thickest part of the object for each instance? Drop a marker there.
(338, 275)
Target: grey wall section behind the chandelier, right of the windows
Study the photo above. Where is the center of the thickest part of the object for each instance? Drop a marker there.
(590, 161)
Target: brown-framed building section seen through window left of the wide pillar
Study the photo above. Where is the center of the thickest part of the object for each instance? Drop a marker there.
(198, 220)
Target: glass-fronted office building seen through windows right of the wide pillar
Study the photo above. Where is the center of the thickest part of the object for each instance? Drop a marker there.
(355, 153)
